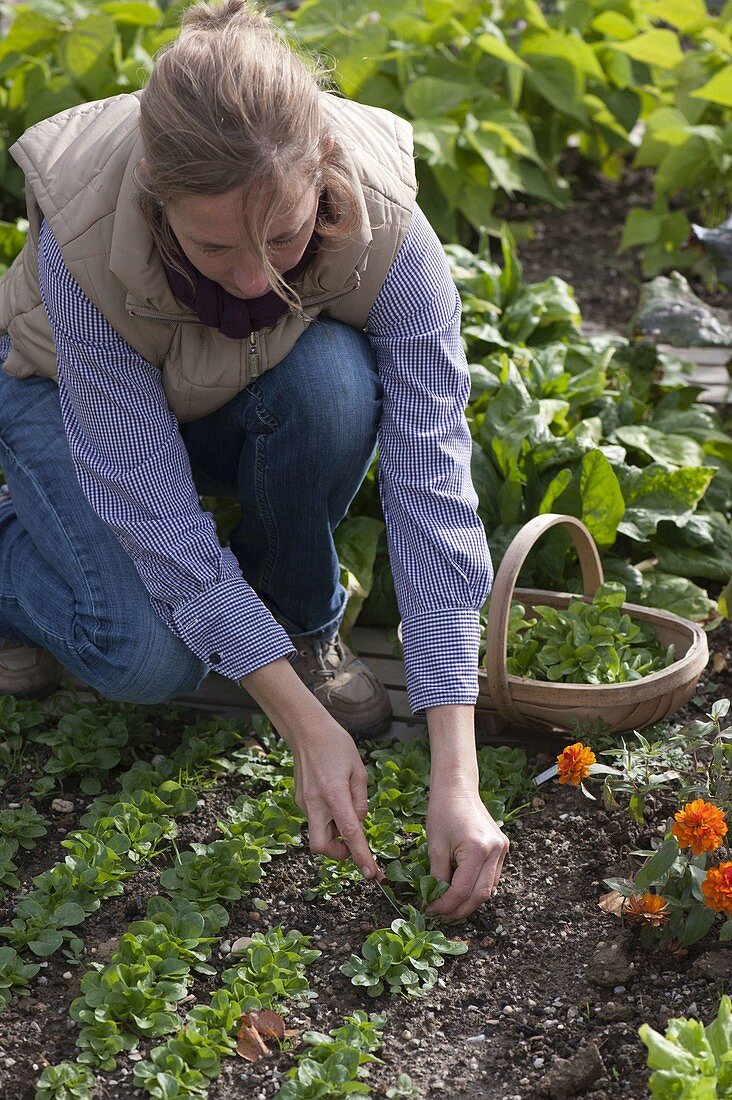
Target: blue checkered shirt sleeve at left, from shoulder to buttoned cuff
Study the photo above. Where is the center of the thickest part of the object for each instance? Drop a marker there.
(134, 468)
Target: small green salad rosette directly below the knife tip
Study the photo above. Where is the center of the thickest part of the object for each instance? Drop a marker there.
(402, 959)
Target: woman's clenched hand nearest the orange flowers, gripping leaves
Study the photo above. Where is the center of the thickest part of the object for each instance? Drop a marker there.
(463, 835)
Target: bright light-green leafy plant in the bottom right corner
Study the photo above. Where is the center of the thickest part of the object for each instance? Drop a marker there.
(692, 1060)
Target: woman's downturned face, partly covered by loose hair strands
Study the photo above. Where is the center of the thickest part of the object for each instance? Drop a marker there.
(211, 233)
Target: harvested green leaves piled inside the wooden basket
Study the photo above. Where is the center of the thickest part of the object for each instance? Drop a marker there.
(584, 644)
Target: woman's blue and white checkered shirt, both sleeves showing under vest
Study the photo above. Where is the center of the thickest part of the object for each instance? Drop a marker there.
(134, 468)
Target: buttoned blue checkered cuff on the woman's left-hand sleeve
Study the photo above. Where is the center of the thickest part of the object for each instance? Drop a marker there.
(230, 629)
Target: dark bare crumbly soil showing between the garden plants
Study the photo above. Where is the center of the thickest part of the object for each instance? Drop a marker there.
(549, 999)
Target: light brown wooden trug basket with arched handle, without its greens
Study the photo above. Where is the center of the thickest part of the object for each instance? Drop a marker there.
(562, 707)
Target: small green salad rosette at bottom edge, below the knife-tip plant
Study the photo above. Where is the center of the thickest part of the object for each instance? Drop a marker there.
(335, 1064)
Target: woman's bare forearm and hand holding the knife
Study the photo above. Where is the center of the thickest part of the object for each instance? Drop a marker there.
(331, 780)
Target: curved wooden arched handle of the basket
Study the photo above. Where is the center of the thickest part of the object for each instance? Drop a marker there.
(497, 635)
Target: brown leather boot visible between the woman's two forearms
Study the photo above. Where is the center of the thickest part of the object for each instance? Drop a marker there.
(346, 687)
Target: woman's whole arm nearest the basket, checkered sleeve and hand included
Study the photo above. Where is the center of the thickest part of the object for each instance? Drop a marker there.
(439, 554)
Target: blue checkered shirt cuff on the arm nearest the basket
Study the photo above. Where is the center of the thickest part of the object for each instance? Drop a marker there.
(441, 658)
